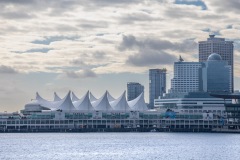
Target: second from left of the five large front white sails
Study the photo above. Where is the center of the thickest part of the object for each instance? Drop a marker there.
(84, 103)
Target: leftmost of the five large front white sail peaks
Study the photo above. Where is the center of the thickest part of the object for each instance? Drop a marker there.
(65, 104)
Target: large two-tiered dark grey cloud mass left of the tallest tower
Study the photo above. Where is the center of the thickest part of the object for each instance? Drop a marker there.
(151, 51)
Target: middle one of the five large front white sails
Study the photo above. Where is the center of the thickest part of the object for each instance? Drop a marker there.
(102, 104)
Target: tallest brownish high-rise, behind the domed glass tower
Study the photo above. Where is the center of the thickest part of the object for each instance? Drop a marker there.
(220, 46)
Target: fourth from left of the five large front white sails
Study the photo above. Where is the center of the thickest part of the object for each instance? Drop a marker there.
(121, 104)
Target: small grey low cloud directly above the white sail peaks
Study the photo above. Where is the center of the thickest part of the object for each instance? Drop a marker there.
(87, 73)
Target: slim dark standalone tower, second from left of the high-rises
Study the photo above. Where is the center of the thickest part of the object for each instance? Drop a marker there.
(157, 84)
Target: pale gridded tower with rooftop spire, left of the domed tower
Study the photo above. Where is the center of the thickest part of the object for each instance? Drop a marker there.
(186, 77)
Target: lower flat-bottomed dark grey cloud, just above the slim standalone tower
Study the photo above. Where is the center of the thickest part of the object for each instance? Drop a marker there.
(148, 57)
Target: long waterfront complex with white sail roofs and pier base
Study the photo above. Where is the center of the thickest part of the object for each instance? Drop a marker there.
(105, 114)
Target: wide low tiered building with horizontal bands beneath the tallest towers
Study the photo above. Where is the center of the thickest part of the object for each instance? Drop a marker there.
(192, 102)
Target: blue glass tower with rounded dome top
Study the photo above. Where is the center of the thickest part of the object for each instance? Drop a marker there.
(215, 75)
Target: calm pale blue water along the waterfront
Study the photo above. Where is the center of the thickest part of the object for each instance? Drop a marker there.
(119, 146)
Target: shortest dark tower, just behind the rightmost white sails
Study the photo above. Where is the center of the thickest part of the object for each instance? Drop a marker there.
(134, 89)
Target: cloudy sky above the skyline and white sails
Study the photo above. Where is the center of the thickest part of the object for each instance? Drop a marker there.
(52, 46)
